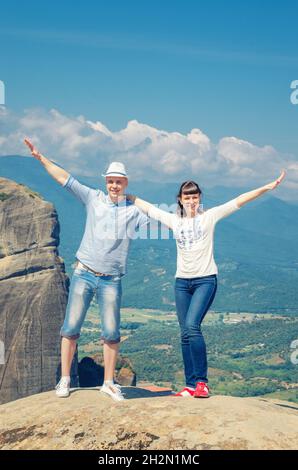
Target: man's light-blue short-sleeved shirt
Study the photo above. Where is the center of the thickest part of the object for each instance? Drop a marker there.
(108, 231)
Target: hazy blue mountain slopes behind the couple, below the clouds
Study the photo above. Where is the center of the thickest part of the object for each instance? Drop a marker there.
(256, 248)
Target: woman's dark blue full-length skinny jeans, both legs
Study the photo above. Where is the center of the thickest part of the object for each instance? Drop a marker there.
(193, 299)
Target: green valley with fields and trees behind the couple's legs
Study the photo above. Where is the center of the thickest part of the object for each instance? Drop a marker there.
(248, 353)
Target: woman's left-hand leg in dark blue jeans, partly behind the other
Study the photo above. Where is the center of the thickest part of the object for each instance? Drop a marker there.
(183, 298)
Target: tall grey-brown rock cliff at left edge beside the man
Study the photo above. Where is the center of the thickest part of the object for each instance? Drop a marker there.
(33, 292)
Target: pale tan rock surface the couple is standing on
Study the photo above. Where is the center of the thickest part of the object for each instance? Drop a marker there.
(147, 420)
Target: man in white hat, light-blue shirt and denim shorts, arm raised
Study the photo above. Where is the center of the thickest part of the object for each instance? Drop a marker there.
(111, 222)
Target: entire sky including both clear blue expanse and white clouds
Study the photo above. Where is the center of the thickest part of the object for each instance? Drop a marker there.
(140, 68)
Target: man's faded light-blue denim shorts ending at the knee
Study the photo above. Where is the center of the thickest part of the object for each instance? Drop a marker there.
(84, 284)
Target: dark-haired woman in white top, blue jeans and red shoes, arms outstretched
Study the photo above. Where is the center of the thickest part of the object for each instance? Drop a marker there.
(196, 275)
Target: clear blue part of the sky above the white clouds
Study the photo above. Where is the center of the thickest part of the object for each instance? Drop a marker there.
(222, 66)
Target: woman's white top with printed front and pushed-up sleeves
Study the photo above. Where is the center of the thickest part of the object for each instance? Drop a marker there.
(194, 238)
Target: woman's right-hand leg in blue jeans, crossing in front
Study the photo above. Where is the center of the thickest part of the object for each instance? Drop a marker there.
(203, 293)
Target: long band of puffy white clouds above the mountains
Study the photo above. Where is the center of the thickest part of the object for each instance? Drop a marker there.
(85, 147)
